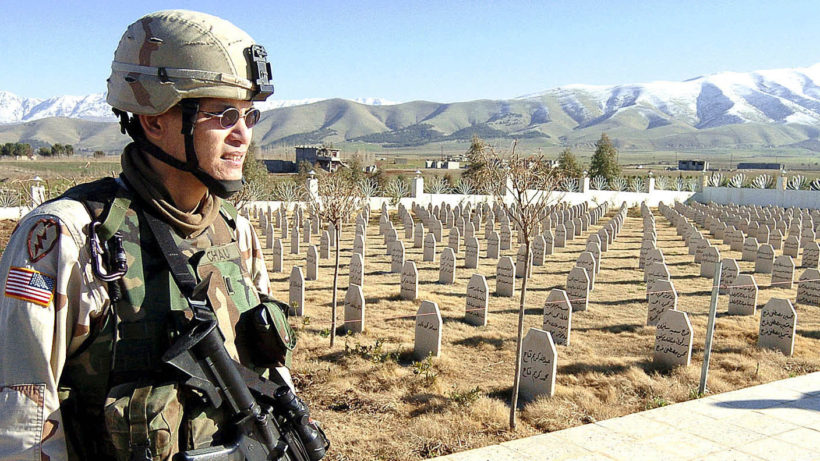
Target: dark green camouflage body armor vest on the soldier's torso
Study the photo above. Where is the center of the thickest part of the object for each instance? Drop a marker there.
(124, 349)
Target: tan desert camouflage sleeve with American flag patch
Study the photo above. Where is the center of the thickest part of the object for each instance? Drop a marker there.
(47, 303)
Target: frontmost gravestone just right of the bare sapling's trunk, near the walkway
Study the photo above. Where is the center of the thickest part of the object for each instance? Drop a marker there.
(539, 362)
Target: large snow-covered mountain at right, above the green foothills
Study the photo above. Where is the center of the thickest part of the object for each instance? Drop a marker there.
(767, 96)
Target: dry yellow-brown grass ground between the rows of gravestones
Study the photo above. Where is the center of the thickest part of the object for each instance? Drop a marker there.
(377, 402)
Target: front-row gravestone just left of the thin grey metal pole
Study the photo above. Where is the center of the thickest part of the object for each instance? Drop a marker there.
(673, 340)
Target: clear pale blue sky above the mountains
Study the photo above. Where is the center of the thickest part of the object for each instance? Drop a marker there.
(431, 50)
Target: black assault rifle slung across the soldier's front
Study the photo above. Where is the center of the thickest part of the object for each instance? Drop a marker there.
(271, 422)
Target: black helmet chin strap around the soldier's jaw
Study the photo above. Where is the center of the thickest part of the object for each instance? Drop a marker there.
(223, 189)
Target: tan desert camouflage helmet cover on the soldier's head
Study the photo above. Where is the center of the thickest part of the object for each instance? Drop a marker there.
(171, 55)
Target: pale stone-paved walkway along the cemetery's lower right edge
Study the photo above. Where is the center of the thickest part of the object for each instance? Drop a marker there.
(775, 421)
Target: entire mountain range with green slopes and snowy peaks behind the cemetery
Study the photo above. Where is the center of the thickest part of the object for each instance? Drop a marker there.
(767, 108)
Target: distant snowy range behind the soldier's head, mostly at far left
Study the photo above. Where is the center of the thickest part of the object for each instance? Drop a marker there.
(15, 109)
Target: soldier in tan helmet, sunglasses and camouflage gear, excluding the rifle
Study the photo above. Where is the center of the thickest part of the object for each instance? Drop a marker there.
(91, 298)
